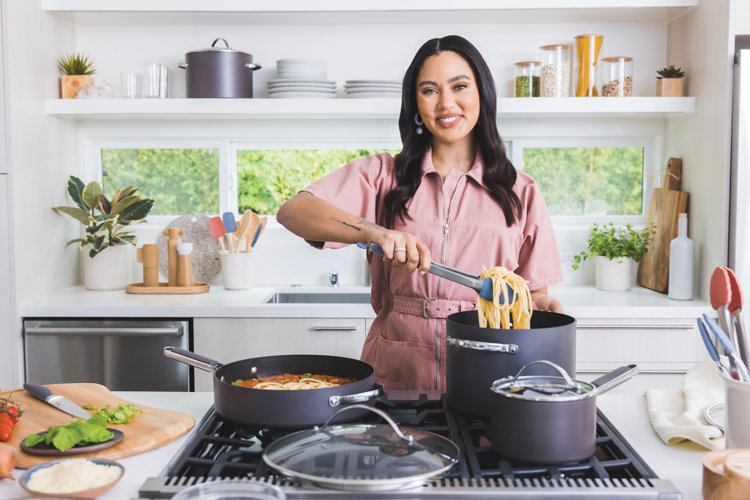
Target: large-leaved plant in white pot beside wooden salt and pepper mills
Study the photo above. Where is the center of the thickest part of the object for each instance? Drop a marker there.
(108, 233)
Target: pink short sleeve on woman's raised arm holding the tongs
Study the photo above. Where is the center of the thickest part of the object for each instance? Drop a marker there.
(357, 188)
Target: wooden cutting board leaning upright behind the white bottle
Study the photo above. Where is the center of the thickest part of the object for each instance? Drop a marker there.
(666, 205)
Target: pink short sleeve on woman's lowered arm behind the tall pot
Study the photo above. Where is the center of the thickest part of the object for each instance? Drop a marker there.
(539, 259)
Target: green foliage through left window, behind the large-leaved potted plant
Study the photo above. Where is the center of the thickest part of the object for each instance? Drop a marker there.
(181, 181)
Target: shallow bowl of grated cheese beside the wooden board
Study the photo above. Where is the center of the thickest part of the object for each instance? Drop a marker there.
(72, 477)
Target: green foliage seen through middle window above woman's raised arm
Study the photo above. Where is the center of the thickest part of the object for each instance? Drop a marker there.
(267, 178)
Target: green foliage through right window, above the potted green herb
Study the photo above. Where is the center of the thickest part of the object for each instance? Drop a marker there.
(588, 181)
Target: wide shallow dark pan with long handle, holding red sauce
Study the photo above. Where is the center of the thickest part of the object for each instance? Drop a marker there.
(285, 409)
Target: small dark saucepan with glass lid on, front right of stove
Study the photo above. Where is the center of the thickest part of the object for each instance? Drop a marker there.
(550, 419)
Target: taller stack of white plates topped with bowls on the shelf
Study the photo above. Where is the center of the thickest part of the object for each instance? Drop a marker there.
(305, 78)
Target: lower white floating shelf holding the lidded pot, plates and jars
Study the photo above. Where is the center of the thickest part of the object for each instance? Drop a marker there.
(343, 108)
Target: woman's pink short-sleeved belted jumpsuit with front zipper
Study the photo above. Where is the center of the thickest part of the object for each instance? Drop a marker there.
(464, 228)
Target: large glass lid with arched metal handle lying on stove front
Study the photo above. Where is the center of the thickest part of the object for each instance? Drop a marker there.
(359, 456)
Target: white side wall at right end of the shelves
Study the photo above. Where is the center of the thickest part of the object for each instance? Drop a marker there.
(702, 43)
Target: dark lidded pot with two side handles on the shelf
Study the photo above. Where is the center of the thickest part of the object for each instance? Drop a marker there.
(219, 72)
